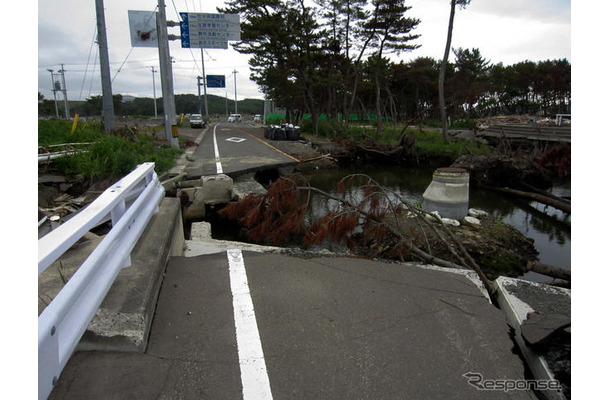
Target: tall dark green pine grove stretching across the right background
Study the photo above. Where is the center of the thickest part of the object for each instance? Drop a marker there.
(332, 58)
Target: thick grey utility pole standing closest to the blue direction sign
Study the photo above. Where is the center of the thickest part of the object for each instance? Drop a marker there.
(167, 84)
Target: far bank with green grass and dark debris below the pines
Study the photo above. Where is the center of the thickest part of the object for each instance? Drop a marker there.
(501, 163)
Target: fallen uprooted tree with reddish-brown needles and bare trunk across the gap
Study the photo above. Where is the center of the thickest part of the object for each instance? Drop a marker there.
(280, 213)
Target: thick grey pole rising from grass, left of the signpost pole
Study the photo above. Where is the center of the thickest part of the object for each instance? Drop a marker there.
(107, 104)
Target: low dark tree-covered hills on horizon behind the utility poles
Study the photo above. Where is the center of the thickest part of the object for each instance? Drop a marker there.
(144, 106)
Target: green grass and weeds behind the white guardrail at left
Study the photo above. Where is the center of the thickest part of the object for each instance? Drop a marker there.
(109, 156)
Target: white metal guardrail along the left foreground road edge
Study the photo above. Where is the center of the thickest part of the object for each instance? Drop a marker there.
(130, 204)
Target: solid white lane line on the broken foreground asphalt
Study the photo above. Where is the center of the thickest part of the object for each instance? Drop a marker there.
(254, 377)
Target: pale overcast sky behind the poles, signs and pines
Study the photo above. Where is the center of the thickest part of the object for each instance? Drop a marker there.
(504, 31)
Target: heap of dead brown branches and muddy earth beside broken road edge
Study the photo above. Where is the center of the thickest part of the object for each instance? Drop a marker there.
(379, 224)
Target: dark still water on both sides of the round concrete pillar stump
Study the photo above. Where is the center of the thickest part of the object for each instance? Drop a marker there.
(550, 228)
